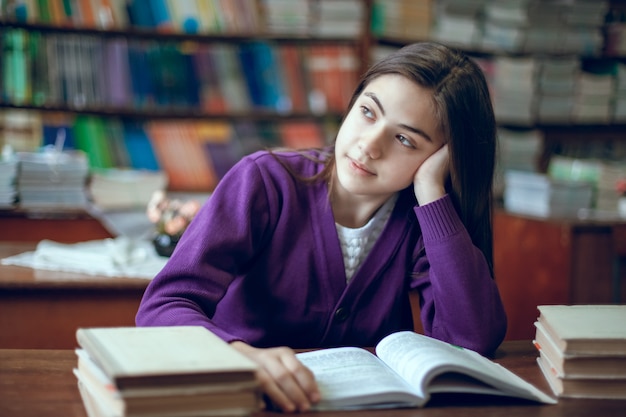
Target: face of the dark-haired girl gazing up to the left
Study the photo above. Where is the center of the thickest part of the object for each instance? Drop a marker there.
(388, 133)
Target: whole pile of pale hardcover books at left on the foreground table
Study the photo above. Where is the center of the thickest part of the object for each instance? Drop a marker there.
(163, 371)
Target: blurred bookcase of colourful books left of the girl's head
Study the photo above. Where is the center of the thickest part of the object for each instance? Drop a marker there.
(187, 87)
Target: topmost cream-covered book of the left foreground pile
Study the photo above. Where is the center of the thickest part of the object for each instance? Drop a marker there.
(144, 357)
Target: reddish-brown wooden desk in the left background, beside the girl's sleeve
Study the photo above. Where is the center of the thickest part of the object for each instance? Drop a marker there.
(42, 309)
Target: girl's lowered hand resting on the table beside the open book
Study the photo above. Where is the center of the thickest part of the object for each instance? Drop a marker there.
(284, 379)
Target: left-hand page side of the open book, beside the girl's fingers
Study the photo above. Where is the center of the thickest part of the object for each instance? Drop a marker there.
(352, 377)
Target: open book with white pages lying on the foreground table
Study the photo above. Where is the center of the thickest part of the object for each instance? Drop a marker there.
(406, 370)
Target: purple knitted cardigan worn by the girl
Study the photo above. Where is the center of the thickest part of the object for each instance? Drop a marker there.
(262, 263)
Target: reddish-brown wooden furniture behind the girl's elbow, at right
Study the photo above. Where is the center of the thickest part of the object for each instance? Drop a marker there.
(555, 261)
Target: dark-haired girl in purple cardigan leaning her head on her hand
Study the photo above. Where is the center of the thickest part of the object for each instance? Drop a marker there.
(320, 248)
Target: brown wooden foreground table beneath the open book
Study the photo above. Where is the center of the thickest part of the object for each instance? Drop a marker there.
(40, 383)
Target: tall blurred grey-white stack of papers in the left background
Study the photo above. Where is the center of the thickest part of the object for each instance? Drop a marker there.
(52, 179)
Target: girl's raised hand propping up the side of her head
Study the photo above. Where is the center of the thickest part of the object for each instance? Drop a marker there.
(430, 178)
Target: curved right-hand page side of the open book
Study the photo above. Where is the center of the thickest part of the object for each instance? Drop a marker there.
(436, 366)
